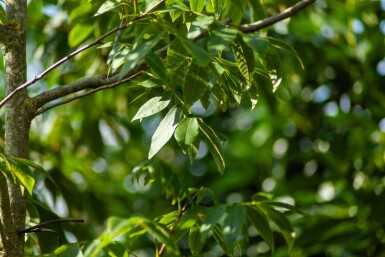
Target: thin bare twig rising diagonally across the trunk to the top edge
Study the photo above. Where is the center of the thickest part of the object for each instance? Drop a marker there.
(73, 54)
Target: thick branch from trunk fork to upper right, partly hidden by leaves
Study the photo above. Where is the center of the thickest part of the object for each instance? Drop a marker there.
(100, 82)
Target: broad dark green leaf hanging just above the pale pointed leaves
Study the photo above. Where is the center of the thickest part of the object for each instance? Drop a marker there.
(195, 85)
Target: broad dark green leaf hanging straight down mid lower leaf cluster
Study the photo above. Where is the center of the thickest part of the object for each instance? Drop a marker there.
(232, 225)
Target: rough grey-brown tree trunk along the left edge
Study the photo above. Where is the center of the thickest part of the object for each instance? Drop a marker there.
(17, 123)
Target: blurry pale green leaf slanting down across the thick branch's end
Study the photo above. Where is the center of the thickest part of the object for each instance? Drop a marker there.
(137, 54)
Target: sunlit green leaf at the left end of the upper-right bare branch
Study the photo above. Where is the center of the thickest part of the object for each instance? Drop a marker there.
(220, 39)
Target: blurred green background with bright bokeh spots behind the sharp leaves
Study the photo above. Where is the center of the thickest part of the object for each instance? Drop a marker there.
(318, 142)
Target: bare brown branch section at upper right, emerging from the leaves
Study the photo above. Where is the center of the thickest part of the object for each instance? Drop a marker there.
(255, 26)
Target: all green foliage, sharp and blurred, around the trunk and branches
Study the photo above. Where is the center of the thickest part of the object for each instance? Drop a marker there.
(318, 142)
